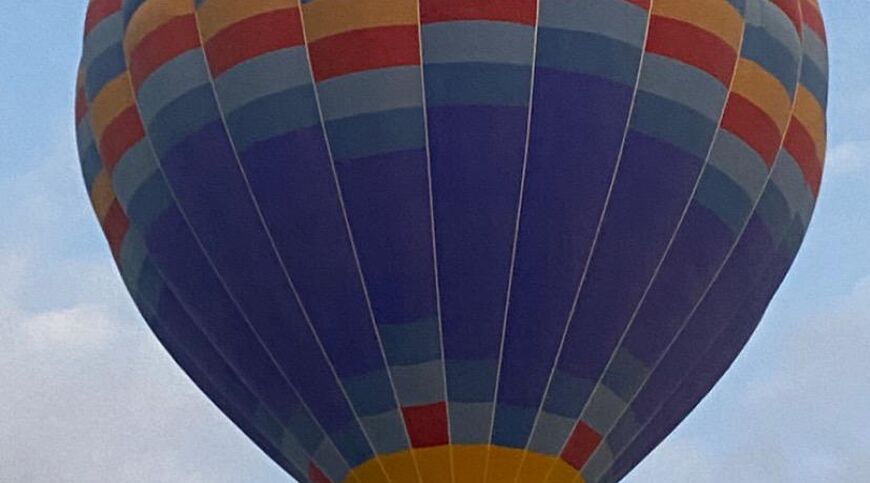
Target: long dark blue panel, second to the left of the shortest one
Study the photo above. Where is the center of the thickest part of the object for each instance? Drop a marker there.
(220, 210)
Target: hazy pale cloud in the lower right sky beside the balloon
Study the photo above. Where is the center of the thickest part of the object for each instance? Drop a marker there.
(801, 417)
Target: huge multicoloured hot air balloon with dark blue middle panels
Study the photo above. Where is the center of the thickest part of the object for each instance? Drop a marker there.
(453, 240)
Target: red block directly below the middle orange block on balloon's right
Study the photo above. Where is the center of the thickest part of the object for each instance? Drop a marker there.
(752, 125)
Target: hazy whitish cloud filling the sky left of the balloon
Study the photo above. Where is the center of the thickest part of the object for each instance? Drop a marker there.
(86, 392)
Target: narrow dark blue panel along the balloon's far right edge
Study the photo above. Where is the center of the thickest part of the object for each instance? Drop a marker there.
(714, 337)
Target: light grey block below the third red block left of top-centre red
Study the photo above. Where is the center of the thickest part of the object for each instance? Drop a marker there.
(171, 81)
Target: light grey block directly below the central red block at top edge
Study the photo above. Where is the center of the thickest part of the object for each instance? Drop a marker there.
(478, 41)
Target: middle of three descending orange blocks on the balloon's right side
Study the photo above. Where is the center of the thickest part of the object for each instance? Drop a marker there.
(762, 89)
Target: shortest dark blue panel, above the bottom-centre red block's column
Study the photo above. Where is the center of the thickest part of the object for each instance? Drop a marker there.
(387, 201)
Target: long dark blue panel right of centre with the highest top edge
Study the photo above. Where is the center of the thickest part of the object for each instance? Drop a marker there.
(578, 123)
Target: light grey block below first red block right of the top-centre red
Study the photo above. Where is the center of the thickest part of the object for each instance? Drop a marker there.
(668, 78)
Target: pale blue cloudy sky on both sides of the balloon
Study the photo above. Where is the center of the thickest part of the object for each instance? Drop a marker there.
(93, 397)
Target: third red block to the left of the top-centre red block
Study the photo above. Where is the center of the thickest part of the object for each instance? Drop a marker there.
(163, 44)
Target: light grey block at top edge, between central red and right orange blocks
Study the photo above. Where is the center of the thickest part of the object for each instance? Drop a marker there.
(616, 19)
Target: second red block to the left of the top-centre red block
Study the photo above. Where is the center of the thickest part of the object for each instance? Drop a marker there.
(253, 37)
